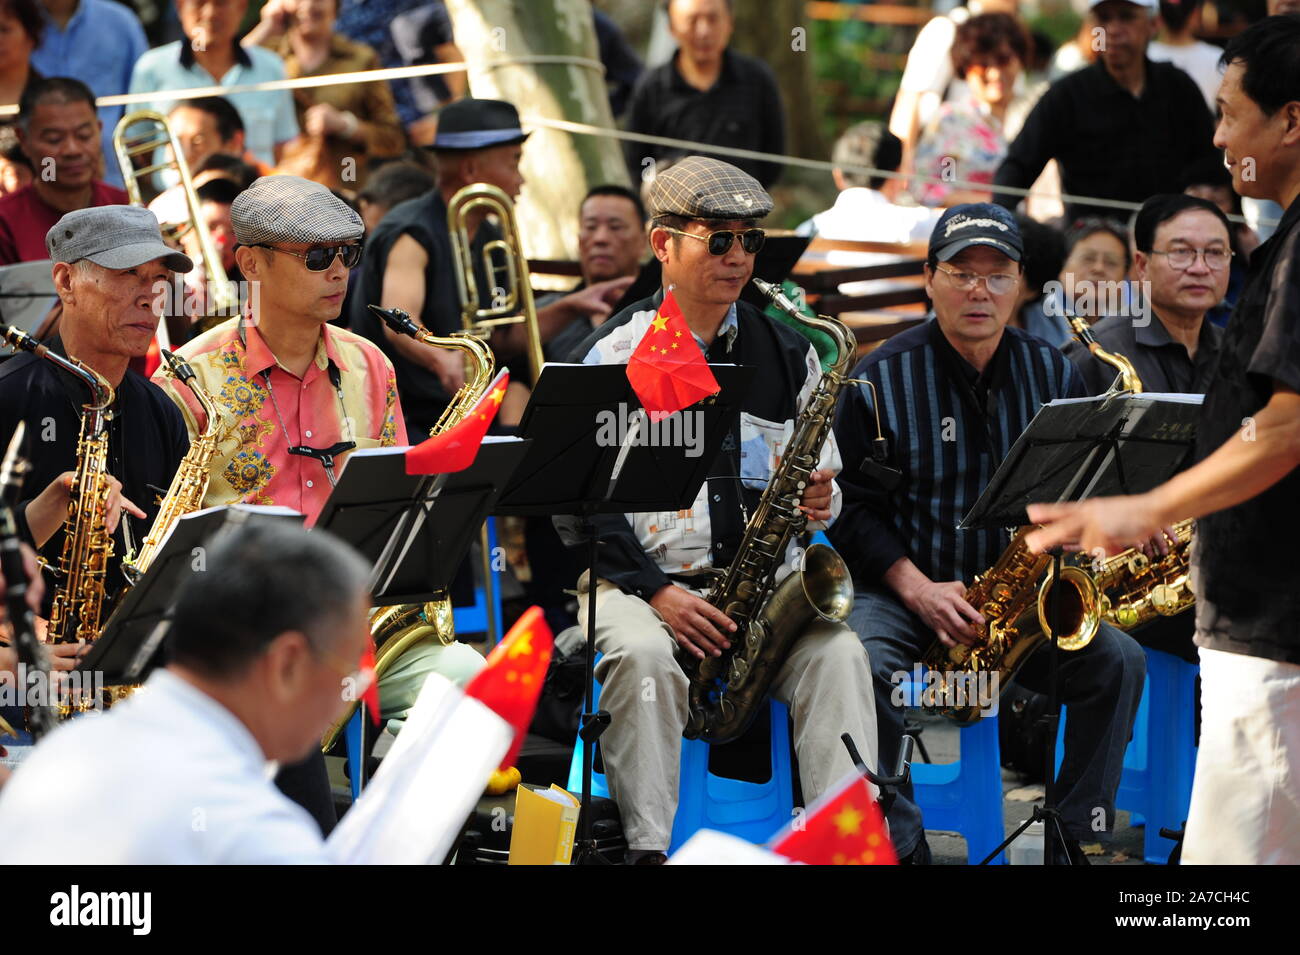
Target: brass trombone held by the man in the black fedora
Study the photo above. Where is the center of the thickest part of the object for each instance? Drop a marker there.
(513, 298)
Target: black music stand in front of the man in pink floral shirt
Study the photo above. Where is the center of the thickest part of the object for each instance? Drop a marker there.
(414, 529)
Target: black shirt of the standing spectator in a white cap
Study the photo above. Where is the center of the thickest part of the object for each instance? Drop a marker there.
(1110, 144)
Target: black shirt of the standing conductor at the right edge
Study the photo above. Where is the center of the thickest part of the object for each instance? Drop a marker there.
(1246, 578)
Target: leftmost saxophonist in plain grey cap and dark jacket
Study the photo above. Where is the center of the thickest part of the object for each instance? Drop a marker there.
(111, 271)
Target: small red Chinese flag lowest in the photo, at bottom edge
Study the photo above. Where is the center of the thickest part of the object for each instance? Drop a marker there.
(843, 830)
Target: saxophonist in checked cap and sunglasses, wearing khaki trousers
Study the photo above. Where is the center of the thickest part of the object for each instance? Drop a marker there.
(655, 568)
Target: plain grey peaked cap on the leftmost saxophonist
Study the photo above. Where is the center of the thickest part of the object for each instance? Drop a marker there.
(116, 237)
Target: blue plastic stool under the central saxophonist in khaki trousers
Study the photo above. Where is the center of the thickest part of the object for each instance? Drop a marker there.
(752, 811)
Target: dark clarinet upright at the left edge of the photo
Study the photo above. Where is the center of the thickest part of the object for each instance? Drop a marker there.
(32, 652)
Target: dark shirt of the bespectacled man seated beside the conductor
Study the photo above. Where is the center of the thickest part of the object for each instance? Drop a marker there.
(1162, 363)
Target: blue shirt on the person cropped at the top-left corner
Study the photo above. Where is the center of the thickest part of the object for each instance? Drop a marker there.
(99, 47)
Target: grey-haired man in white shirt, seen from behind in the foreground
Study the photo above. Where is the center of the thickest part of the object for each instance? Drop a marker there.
(262, 643)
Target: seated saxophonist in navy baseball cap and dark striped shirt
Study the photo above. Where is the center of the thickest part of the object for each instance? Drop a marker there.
(954, 396)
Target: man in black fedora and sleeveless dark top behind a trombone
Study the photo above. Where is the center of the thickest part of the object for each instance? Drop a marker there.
(410, 264)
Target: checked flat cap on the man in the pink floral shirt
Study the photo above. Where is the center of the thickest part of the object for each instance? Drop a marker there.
(288, 209)
